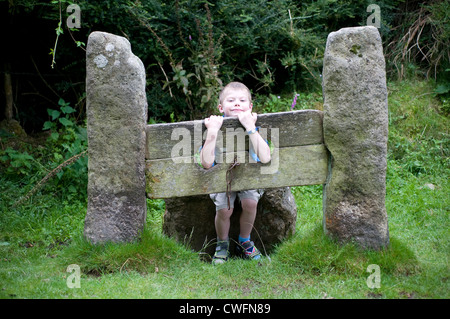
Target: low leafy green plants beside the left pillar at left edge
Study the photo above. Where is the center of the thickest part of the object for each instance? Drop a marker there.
(28, 163)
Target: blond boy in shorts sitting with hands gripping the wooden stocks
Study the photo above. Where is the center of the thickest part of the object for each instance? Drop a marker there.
(235, 101)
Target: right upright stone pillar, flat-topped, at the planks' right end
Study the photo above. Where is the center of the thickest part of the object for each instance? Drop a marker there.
(355, 132)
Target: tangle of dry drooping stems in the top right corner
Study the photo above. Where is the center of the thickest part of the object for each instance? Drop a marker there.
(420, 43)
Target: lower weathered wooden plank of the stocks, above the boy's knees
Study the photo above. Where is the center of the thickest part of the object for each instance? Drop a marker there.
(290, 166)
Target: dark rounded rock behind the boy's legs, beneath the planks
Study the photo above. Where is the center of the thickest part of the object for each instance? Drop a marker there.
(190, 220)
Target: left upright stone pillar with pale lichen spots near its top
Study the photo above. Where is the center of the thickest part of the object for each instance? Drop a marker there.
(117, 115)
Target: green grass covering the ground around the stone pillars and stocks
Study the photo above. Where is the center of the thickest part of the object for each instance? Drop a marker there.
(39, 239)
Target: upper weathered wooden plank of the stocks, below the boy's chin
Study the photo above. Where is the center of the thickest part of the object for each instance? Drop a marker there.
(284, 129)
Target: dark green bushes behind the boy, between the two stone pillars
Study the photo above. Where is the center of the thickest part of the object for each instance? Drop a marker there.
(274, 46)
